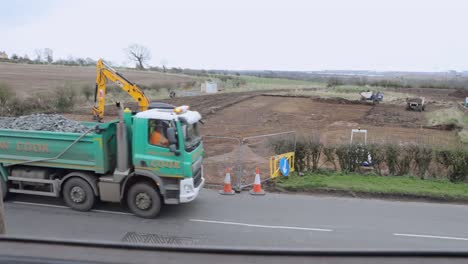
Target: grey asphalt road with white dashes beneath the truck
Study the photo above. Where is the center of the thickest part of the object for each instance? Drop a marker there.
(274, 220)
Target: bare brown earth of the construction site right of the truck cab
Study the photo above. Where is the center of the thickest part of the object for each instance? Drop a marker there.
(330, 122)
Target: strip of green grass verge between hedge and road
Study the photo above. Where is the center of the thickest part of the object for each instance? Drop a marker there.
(378, 185)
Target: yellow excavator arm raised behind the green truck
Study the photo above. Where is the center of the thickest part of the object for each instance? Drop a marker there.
(103, 73)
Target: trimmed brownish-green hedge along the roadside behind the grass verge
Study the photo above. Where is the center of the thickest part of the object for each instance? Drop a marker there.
(384, 159)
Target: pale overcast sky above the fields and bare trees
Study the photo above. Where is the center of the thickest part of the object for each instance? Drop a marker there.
(247, 34)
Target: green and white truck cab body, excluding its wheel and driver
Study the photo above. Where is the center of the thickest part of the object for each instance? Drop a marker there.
(176, 159)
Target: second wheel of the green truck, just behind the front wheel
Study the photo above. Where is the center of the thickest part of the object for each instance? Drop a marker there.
(78, 194)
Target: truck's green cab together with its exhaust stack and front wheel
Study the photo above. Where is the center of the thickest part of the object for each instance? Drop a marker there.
(166, 154)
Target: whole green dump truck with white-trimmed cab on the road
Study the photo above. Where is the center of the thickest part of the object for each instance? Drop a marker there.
(112, 162)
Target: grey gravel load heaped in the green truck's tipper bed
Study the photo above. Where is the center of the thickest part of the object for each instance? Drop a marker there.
(42, 122)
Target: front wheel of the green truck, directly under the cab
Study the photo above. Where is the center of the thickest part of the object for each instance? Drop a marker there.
(143, 200)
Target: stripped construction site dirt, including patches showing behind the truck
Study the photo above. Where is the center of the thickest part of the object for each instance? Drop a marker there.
(240, 115)
